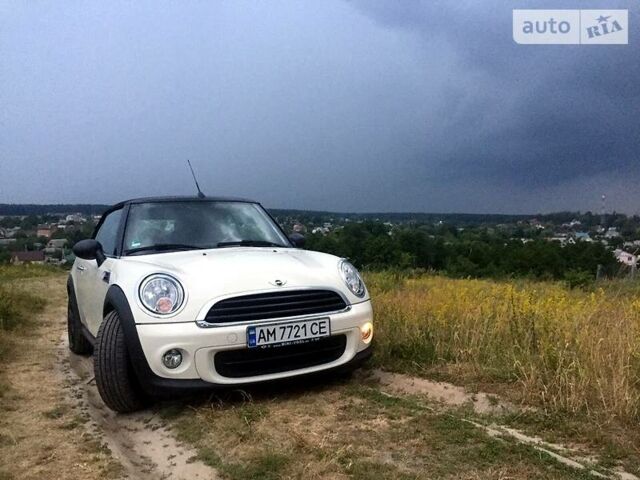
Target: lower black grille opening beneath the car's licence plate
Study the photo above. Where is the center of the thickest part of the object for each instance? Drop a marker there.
(250, 362)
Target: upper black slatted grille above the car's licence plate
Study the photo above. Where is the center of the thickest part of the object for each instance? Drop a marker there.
(282, 304)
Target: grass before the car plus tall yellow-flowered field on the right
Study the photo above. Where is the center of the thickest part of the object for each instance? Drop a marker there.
(570, 354)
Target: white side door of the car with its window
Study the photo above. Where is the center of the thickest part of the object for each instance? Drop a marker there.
(93, 280)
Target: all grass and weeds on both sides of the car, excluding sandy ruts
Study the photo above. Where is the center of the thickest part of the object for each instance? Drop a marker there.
(572, 355)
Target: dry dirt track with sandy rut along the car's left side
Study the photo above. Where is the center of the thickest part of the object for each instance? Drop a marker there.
(55, 426)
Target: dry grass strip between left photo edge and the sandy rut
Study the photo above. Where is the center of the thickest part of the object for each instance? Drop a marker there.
(42, 428)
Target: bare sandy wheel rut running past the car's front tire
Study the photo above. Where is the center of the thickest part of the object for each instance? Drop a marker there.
(139, 441)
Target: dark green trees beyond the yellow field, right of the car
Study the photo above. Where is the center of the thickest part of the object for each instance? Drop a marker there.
(468, 253)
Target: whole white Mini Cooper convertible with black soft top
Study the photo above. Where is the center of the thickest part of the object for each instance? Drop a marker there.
(189, 293)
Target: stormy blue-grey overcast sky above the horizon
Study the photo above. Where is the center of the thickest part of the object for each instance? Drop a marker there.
(327, 105)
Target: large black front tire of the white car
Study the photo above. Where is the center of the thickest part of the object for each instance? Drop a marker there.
(116, 381)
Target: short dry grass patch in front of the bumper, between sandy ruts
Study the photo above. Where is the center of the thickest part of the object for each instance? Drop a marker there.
(349, 429)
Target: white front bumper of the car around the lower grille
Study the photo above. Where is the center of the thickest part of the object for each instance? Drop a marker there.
(200, 345)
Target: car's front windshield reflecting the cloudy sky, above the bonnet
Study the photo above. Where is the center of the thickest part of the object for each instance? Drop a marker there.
(170, 226)
